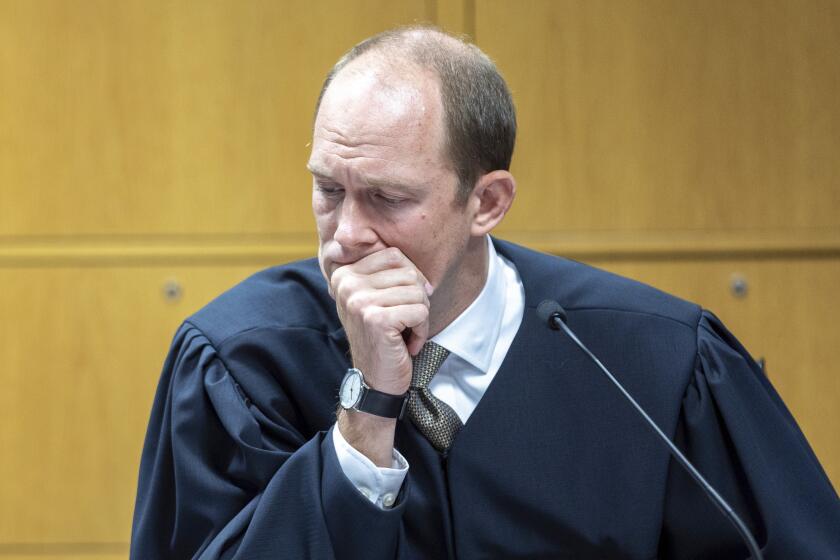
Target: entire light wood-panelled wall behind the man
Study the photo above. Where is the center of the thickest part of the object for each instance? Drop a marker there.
(149, 143)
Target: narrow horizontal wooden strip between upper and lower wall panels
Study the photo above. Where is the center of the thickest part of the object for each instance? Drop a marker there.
(264, 250)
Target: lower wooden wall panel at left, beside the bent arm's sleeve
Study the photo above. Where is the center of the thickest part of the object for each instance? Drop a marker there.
(82, 351)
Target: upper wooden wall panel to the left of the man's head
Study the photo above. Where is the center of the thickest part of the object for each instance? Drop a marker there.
(142, 117)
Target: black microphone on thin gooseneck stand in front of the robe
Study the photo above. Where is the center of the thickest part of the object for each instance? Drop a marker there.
(553, 313)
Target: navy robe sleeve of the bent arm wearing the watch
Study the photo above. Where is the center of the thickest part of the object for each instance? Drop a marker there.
(220, 479)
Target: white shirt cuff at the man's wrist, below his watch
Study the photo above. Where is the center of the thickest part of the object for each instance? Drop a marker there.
(380, 485)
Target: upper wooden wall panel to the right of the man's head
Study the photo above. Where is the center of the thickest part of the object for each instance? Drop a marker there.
(663, 115)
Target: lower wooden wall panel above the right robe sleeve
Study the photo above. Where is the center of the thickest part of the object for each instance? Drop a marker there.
(788, 317)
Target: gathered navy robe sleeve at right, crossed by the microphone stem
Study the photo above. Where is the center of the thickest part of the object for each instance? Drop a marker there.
(738, 433)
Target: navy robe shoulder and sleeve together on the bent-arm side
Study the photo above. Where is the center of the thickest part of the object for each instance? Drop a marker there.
(238, 461)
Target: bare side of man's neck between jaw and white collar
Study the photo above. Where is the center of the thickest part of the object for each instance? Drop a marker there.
(461, 287)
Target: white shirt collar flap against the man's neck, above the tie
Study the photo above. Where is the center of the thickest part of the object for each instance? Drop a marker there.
(473, 334)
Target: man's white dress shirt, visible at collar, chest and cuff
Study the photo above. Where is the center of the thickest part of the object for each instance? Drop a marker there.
(478, 340)
